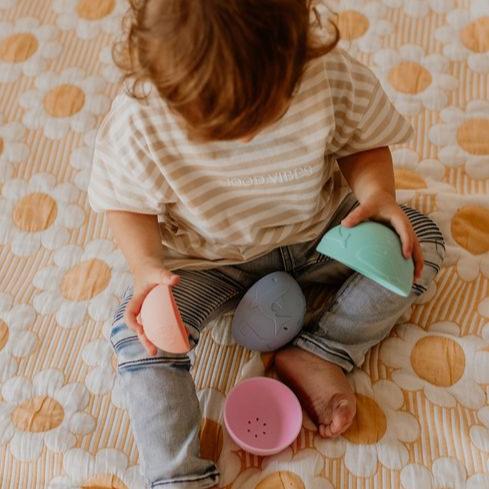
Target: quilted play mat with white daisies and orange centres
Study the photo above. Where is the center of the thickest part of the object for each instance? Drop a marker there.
(423, 415)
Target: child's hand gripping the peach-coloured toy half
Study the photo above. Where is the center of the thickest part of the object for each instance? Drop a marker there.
(146, 277)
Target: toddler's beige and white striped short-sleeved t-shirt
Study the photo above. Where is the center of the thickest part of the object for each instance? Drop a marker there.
(227, 202)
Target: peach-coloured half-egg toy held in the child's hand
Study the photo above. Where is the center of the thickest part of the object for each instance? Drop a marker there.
(162, 322)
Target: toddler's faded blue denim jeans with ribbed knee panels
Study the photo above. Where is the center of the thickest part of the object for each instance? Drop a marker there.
(159, 391)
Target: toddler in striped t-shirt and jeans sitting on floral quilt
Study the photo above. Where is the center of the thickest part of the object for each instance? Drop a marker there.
(242, 135)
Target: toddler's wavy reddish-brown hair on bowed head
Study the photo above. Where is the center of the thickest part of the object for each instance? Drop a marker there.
(227, 67)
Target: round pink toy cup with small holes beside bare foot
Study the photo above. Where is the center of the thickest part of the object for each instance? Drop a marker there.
(262, 415)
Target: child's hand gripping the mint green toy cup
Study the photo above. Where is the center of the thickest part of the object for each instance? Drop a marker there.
(385, 208)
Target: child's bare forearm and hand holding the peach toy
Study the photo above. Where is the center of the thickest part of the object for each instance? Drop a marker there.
(138, 237)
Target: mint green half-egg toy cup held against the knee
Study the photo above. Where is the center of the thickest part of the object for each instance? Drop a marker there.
(372, 249)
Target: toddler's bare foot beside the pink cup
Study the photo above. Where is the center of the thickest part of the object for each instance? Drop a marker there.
(321, 387)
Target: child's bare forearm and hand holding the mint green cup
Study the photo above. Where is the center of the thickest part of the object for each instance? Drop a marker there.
(370, 175)
